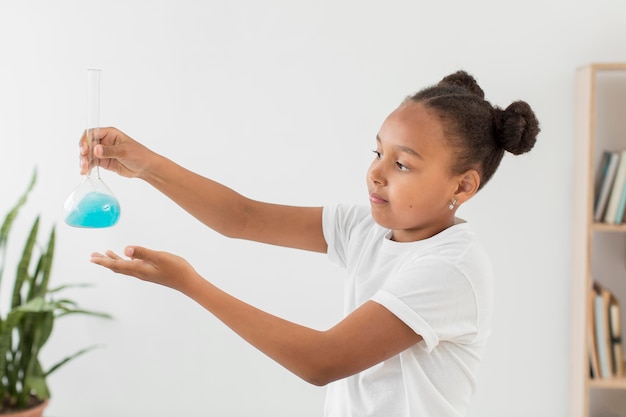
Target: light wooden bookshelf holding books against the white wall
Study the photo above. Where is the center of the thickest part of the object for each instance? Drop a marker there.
(599, 249)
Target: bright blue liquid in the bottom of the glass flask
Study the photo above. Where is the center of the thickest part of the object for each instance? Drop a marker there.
(95, 210)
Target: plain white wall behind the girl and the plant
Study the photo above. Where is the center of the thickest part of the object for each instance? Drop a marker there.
(282, 100)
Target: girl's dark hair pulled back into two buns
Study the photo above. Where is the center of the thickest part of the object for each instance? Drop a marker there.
(478, 131)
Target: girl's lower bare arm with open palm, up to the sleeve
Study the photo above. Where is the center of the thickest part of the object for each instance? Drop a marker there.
(366, 337)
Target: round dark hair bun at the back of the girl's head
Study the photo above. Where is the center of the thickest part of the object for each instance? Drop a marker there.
(516, 127)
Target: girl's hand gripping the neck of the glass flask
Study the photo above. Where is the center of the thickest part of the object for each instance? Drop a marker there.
(115, 151)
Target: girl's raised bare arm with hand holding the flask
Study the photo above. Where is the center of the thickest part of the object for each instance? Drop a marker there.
(214, 204)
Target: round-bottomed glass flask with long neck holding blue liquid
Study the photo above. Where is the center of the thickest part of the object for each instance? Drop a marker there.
(92, 204)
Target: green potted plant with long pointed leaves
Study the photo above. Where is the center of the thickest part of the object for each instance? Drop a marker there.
(26, 327)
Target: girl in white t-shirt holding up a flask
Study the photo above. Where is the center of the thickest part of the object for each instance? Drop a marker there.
(419, 288)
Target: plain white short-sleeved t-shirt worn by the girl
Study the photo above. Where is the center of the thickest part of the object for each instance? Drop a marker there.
(441, 287)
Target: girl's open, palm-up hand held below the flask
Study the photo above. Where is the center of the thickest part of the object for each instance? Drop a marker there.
(148, 265)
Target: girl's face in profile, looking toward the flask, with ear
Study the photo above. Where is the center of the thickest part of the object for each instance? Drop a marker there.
(410, 181)
